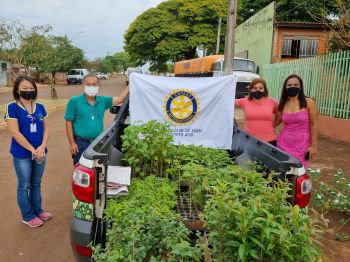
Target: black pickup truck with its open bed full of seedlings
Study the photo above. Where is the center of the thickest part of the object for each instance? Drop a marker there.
(90, 175)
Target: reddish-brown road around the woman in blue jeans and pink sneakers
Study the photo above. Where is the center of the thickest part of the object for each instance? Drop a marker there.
(50, 242)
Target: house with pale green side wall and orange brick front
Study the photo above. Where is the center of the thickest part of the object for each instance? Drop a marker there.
(265, 40)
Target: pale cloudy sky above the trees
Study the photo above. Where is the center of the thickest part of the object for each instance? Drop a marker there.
(97, 27)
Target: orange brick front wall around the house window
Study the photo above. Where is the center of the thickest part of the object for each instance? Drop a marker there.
(281, 32)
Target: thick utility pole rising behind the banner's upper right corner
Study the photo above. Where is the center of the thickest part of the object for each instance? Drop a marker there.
(230, 37)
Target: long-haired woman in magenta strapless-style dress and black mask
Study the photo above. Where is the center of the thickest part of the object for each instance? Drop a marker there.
(298, 114)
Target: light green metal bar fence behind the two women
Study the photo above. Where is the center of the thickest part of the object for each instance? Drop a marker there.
(326, 78)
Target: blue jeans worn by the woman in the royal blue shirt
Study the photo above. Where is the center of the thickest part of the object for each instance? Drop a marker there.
(29, 174)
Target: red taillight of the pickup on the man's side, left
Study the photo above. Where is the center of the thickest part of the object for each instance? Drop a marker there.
(83, 183)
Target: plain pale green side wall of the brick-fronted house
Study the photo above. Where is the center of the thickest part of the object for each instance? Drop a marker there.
(255, 35)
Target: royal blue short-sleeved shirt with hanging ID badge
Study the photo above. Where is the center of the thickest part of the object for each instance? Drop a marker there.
(33, 134)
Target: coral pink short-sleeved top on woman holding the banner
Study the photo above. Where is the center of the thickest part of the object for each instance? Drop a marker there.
(259, 117)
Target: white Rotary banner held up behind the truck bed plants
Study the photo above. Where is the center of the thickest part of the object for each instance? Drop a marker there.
(200, 109)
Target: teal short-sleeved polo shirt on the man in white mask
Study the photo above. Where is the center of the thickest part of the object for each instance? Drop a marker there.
(87, 119)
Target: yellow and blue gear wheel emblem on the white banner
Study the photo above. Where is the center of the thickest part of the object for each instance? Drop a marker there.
(181, 106)
